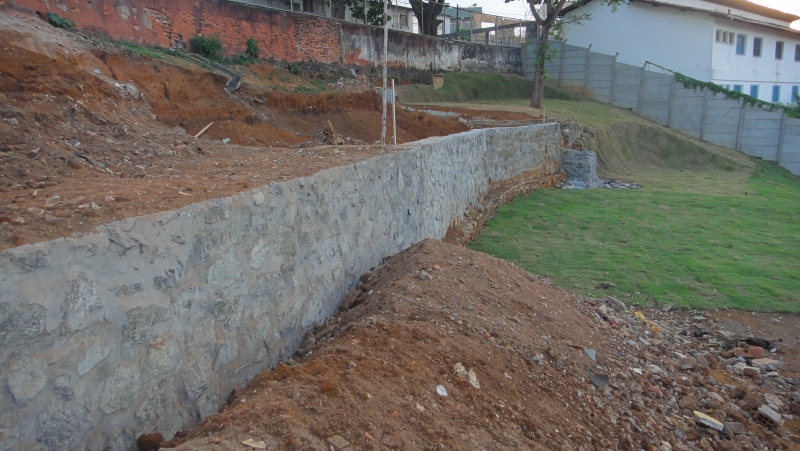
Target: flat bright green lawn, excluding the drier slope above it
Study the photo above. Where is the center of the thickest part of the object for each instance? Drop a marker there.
(659, 245)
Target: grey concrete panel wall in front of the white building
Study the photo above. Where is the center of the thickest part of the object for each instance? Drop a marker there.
(756, 131)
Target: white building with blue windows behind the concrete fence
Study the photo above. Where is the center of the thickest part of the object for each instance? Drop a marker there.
(735, 43)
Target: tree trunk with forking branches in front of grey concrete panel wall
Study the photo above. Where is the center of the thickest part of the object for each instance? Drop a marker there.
(546, 13)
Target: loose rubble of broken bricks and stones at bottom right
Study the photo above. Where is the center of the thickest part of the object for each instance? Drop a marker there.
(719, 389)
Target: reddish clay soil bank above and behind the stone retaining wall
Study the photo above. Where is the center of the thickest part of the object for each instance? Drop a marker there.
(78, 148)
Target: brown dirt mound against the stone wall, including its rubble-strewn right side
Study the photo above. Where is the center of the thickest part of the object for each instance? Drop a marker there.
(375, 375)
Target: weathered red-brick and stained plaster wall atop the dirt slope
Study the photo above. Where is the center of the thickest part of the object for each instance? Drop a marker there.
(281, 35)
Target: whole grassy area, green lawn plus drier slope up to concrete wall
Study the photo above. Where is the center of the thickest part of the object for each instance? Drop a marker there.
(712, 228)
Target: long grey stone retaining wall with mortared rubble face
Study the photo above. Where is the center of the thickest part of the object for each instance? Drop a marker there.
(148, 323)
